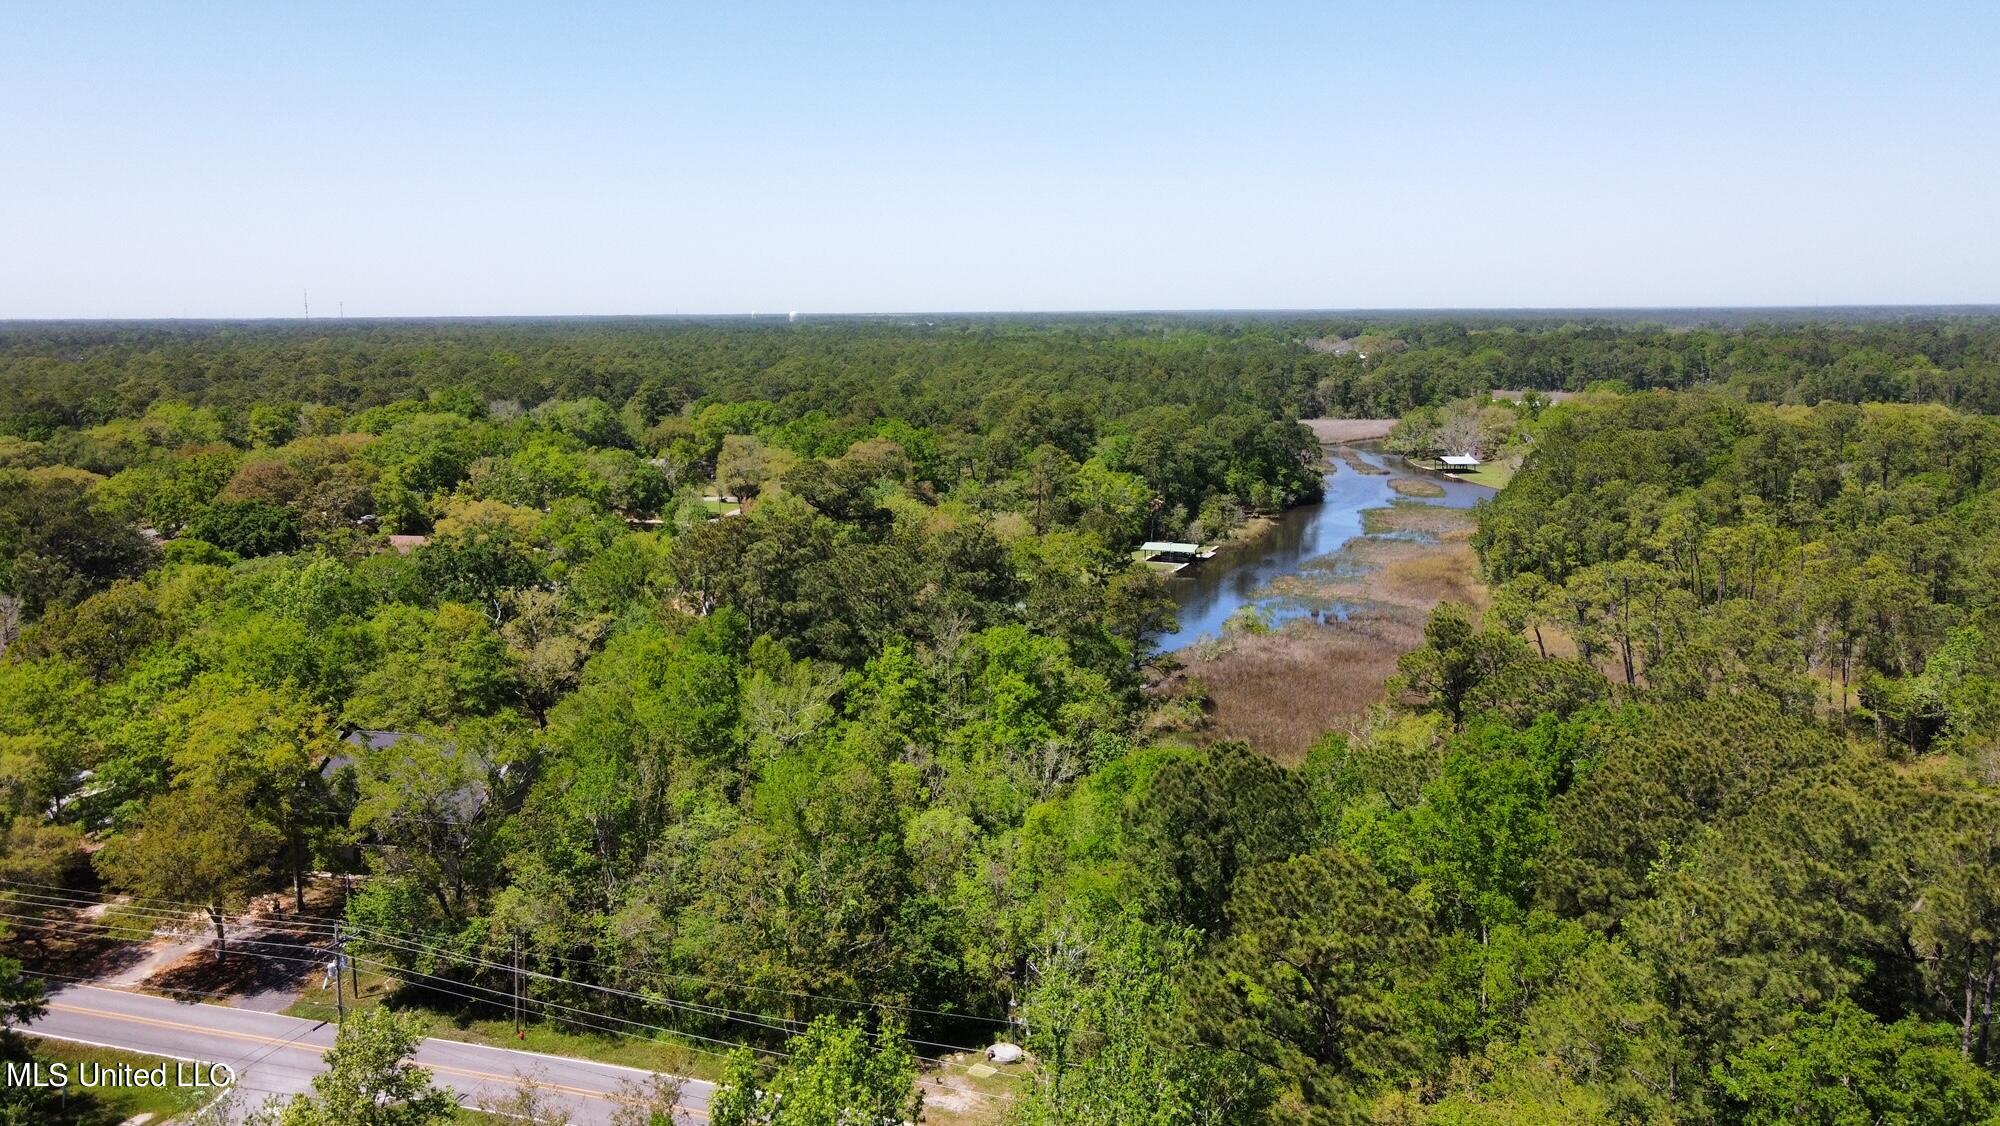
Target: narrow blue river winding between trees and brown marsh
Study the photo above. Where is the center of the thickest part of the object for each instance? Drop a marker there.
(1239, 577)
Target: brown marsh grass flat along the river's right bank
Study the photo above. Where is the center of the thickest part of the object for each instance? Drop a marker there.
(1283, 691)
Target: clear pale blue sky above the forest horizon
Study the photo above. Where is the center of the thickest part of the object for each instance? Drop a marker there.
(571, 159)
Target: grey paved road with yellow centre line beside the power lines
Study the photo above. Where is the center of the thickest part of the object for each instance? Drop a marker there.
(279, 1055)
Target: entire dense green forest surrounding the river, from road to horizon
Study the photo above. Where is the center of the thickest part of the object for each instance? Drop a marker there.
(795, 685)
